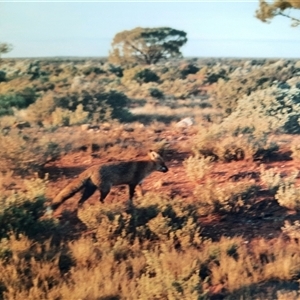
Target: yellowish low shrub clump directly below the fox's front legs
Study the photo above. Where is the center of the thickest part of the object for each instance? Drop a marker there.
(157, 221)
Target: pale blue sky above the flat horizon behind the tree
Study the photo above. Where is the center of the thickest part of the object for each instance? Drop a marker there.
(86, 28)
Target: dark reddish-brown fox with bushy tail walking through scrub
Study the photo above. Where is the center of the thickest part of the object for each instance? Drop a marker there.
(105, 176)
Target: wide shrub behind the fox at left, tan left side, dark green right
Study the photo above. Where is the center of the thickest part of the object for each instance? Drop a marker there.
(78, 108)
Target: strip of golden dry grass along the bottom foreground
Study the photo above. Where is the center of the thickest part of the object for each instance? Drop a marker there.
(142, 270)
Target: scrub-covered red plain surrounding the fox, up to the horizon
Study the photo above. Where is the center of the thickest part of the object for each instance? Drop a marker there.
(221, 224)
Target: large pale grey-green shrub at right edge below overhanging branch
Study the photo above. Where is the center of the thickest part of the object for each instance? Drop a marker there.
(269, 110)
